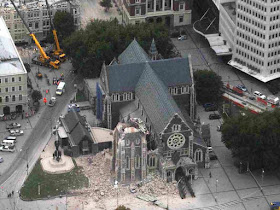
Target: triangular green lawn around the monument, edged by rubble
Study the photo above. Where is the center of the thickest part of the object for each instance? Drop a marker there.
(52, 184)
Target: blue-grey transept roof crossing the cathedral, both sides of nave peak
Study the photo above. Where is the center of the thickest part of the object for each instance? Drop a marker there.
(123, 78)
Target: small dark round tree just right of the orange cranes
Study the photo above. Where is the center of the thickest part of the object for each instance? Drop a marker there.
(64, 24)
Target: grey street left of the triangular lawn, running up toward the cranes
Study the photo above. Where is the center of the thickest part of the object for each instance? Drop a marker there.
(37, 130)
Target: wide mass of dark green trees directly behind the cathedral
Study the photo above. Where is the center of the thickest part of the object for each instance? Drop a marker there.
(101, 41)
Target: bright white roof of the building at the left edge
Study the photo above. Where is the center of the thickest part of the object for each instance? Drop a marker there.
(10, 61)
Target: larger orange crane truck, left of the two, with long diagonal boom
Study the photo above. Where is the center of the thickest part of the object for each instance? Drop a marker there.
(42, 59)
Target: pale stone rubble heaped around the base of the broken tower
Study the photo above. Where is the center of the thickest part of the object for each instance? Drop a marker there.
(98, 170)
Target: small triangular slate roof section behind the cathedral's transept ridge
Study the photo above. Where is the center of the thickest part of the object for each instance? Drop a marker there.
(134, 53)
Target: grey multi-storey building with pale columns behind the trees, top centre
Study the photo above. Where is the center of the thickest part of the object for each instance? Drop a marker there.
(171, 12)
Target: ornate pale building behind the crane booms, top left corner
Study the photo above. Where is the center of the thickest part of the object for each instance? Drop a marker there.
(36, 16)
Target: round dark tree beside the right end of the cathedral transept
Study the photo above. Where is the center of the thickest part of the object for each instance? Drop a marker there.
(208, 86)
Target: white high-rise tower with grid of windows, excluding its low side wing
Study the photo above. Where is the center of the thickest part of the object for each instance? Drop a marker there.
(257, 38)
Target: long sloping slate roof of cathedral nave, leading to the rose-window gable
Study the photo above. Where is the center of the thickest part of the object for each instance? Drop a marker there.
(156, 100)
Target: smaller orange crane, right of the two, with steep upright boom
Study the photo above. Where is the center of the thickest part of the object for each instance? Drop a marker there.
(58, 52)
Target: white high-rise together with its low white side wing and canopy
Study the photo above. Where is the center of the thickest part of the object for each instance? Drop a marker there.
(250, 30)
